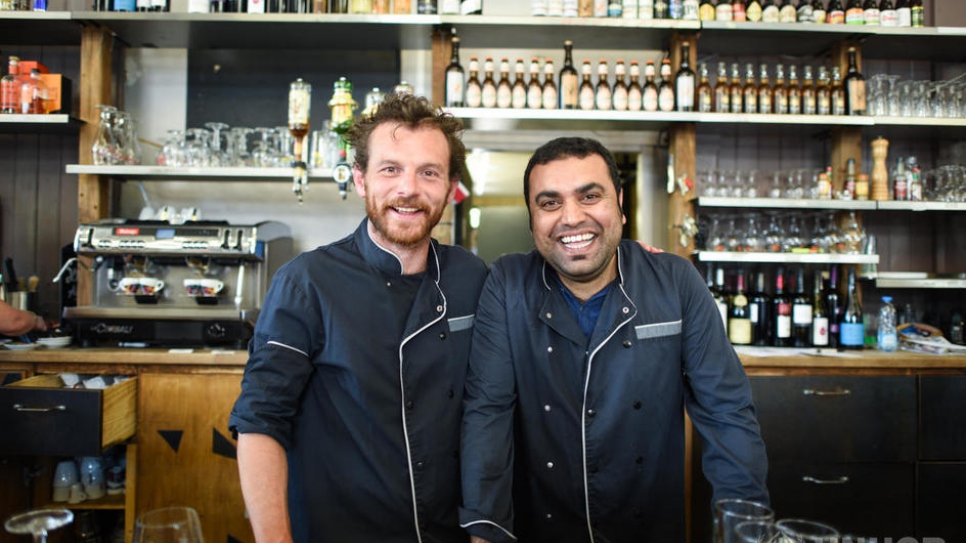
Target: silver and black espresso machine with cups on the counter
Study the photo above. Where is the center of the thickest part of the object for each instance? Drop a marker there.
(191, 284)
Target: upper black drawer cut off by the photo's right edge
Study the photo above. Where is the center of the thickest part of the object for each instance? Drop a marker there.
(942, 417)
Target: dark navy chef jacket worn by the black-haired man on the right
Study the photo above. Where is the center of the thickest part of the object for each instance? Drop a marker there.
(588, 436)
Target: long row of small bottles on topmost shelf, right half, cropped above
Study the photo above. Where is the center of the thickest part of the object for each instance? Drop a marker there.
(908, 13)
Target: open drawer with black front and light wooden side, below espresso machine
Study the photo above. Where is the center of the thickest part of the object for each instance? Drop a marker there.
(39, 416)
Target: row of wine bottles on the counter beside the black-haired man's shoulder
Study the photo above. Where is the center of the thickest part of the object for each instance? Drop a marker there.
(790, 314)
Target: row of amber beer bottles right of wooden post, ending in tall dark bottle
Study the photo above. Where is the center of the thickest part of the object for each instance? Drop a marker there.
(829, 94)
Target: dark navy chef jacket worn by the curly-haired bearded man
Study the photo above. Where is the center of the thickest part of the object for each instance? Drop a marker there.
(361, 382)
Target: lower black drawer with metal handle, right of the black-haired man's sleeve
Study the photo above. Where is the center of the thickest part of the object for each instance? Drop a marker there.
(866, 500)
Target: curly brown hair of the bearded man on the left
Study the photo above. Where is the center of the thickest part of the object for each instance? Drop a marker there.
(412, 112)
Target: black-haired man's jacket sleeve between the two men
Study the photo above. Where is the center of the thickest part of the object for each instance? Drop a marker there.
(487, 434)
